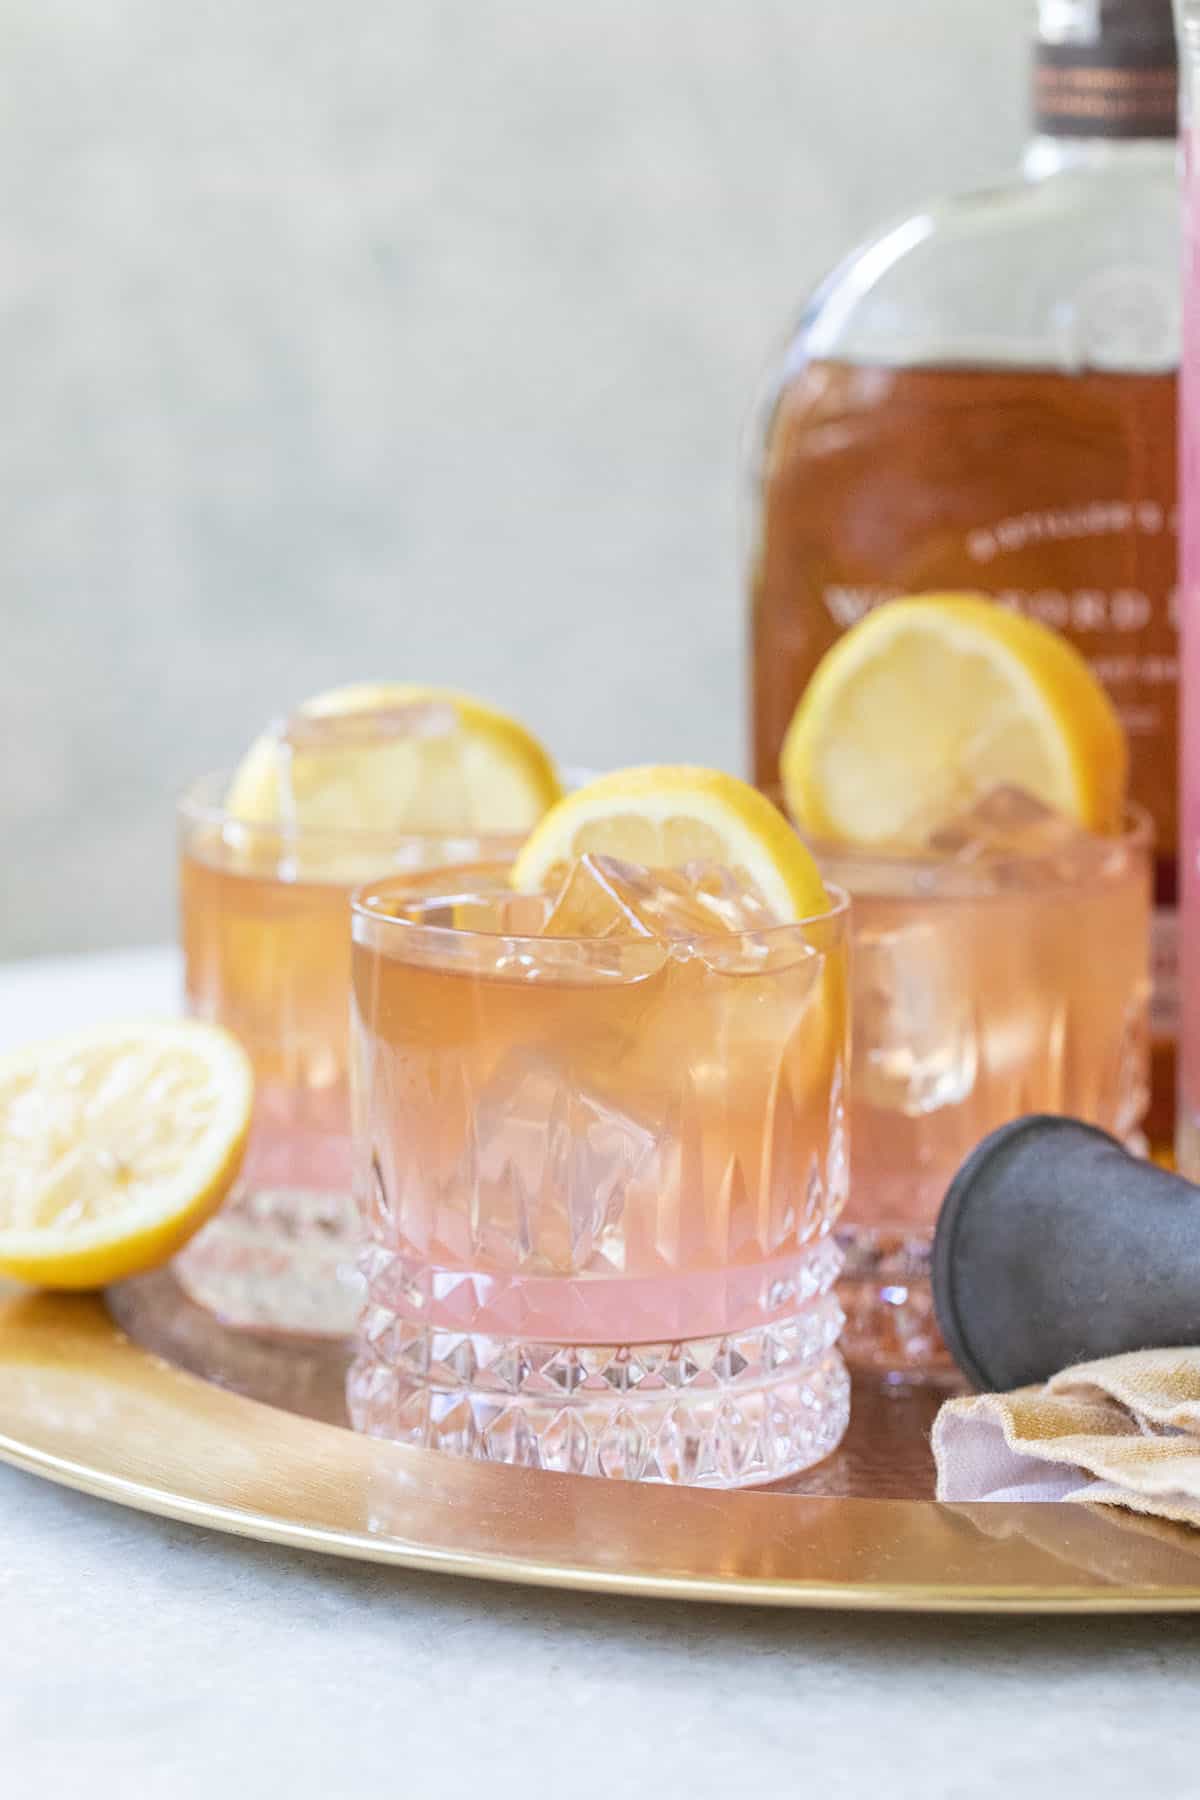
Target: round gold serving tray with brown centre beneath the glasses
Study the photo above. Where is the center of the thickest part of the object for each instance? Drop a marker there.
(170, 1414)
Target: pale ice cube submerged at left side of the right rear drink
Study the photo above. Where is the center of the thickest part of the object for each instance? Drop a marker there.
(917, 1045)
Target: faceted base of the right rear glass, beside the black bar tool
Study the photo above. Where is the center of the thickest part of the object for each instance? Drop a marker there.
(891, 1327)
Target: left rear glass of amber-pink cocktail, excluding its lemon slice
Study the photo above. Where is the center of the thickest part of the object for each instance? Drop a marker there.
(267, 951)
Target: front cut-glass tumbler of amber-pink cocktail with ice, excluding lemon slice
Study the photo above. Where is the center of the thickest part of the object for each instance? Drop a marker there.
(600, 1149)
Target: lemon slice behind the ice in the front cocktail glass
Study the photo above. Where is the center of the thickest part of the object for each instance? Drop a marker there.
(670, 816)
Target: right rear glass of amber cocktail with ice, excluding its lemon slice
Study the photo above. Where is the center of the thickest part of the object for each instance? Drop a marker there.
(1003, 971)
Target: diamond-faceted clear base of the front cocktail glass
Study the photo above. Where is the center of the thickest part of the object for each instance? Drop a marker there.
(719, 1412)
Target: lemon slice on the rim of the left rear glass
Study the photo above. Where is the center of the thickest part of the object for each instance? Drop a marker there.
(461, 768)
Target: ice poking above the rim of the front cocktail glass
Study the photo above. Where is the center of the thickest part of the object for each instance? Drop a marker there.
(605, 897)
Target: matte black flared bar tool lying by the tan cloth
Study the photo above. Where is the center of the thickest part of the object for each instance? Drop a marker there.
(1057, 1246)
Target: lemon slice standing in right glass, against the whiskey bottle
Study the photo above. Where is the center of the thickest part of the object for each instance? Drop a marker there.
(931, 703)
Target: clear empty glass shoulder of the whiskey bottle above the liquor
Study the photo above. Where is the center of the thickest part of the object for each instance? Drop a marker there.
(1077, 269)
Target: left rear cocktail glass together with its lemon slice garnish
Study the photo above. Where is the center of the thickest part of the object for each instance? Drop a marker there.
(357, 784)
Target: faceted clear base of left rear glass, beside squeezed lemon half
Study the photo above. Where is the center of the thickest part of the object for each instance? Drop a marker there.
(278, 1261)
